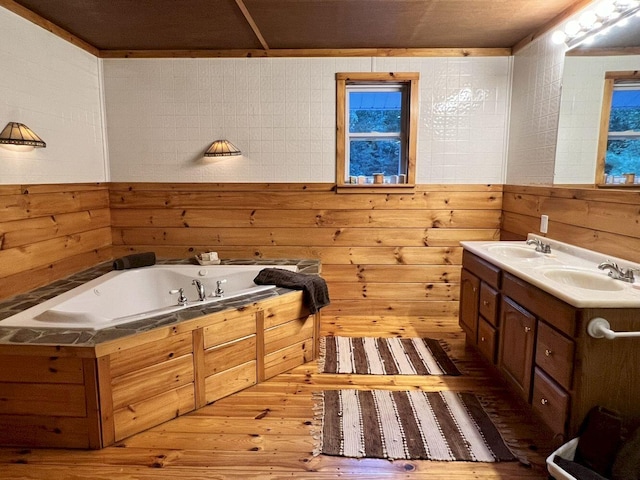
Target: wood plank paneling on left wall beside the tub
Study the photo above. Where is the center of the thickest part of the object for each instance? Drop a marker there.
(50, 231)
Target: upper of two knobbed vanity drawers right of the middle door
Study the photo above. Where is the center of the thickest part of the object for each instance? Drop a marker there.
(554, 354)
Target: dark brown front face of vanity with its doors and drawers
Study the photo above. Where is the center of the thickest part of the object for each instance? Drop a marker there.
(527, 334)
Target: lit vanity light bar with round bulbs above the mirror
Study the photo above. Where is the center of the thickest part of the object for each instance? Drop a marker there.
(596, 21)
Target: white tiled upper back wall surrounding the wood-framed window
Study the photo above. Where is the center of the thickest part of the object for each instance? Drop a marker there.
(162, 114)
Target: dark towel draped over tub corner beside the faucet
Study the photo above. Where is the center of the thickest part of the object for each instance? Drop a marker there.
(314, 288)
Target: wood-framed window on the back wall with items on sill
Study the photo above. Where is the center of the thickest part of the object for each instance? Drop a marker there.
(376, 129)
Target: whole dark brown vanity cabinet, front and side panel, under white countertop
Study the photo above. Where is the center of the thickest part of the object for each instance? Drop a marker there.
(545, 353)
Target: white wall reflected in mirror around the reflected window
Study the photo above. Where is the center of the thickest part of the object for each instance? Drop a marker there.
(580, 110)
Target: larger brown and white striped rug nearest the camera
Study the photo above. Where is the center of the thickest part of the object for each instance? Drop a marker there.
(413, 424)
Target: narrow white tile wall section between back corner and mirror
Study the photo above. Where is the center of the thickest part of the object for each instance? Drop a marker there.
(535, 103)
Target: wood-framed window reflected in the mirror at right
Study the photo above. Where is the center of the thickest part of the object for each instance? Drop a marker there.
(619, 144)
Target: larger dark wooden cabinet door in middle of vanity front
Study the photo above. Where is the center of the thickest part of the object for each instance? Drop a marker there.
(517, 341)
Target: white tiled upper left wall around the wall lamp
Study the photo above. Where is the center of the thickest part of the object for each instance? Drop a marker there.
(54, 88)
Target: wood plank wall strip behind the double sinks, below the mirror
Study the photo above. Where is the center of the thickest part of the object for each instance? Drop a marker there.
(604, 220)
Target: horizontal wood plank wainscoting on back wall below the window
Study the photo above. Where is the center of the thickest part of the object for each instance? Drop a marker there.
(382, 254)
